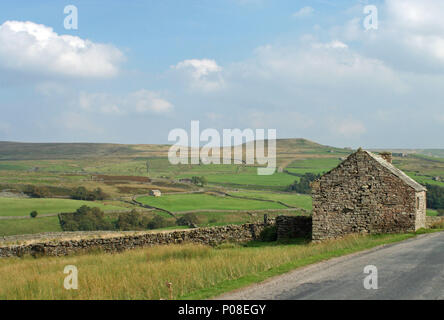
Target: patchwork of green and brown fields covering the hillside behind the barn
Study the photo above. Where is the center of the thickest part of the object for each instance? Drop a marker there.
(125, 172)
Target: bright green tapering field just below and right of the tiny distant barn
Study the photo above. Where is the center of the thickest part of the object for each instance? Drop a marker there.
(189, 202)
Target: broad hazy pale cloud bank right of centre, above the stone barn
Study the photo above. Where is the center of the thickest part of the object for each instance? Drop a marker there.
(317, 64)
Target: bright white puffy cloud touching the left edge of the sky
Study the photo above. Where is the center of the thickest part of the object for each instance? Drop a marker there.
(31, 47)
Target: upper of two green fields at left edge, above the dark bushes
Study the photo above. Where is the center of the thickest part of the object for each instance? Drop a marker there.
(22, 207)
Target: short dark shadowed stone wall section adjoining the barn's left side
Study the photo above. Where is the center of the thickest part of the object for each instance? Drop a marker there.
(293, 227)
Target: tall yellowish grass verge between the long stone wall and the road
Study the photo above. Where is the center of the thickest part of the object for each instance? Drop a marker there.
(195, 271)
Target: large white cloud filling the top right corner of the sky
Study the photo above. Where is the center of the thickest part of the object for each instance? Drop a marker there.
(410, 36)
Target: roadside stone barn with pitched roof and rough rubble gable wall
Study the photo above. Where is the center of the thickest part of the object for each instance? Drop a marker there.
(366, 194)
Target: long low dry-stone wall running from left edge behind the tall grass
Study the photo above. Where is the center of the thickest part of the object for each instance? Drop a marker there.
(208, 236)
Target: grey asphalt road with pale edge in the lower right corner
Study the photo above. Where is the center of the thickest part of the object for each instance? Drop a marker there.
(412, 269)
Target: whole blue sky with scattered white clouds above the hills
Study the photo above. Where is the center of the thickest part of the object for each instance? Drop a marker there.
(135, 70)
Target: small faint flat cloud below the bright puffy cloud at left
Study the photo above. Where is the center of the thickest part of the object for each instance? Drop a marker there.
(139, 102)
